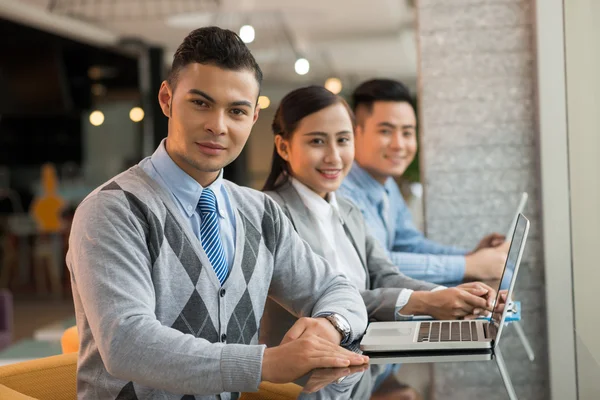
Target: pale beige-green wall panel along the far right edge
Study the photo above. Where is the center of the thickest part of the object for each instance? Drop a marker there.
(582, 33)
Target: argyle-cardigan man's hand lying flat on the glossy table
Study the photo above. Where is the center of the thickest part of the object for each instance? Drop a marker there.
(287, 362)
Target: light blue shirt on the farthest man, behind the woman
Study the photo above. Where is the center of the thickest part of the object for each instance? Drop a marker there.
(389, 220)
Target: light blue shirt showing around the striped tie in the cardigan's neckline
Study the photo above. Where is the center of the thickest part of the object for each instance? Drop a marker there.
(186, 192)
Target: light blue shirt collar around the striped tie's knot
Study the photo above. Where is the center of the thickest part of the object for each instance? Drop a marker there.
(186, 189)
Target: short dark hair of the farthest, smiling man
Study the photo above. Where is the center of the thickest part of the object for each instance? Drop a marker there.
(374, 90)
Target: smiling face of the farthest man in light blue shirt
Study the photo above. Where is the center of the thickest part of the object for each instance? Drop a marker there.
(386, 140)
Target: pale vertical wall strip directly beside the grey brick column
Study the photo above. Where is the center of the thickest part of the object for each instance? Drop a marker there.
(555, 199)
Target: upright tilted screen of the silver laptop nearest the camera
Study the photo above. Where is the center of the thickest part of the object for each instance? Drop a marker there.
(513, 260)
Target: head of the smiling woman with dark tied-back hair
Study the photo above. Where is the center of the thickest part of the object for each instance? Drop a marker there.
(313, 140)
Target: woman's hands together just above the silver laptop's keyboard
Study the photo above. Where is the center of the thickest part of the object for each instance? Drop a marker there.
(452, 303)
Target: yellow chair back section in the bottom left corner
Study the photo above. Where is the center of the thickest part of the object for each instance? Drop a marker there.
(49, 378)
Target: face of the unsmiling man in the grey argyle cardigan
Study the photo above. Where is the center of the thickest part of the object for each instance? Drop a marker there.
(211, 113)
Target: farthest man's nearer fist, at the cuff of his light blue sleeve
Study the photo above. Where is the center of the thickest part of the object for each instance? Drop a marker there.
(486, 264)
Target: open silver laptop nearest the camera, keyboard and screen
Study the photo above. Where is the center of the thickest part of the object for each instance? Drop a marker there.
(449, 335)
